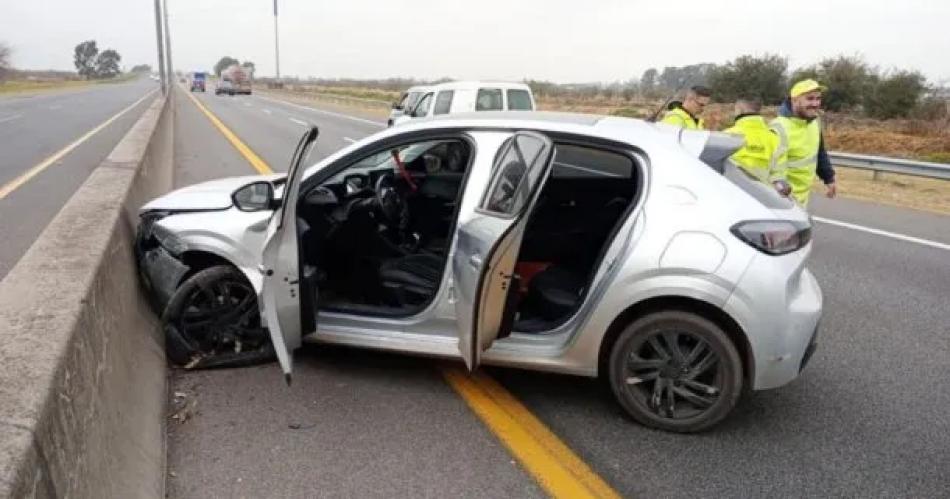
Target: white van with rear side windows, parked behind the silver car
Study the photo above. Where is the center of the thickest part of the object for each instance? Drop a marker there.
(468, 96)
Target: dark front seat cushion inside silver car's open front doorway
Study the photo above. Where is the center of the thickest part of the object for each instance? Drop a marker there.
(412, 279)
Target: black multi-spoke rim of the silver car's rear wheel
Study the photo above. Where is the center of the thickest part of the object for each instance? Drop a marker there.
(675, 375)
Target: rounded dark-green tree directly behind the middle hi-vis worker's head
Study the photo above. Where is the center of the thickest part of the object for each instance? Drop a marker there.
(762, 77)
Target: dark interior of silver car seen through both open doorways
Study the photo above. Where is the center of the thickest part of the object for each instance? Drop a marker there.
(375, 238)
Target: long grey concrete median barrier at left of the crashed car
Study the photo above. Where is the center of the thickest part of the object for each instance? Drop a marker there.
(82, 382)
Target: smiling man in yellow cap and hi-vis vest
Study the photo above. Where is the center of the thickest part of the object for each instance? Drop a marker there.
(799, 129)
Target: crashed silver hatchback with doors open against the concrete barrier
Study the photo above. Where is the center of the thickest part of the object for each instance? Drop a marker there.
(586, 245)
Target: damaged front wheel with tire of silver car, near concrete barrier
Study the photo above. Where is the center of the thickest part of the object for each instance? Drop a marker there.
(213, 320)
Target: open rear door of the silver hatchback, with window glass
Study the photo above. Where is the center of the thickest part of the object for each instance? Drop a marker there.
(489, 242)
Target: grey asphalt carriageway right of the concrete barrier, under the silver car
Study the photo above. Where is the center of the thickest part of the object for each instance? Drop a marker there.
(868, 417)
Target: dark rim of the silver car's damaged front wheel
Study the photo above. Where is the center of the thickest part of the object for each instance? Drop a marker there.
(221, 316)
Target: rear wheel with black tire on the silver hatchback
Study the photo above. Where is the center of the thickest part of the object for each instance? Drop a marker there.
(704, 391)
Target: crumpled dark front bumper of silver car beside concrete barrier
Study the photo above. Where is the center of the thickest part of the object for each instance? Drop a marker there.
(160, 270)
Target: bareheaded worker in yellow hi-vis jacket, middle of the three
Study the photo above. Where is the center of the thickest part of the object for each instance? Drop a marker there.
(761, 155)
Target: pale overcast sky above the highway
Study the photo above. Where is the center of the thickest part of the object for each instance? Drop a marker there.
(558, 40)
